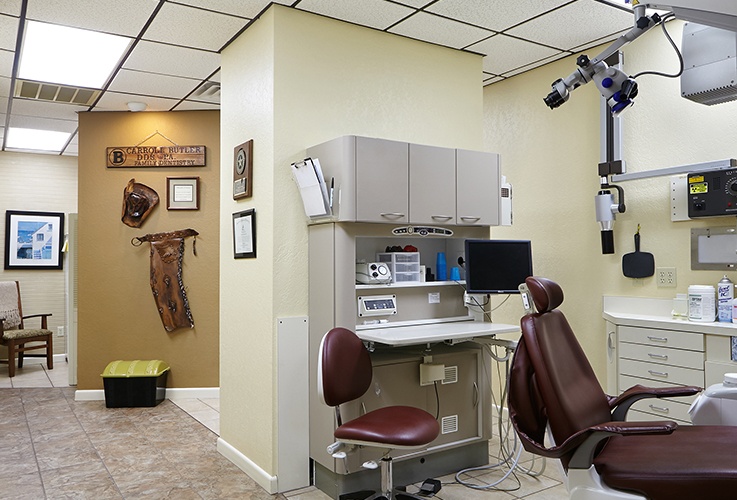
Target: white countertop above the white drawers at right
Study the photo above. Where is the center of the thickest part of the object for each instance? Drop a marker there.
(656, 313)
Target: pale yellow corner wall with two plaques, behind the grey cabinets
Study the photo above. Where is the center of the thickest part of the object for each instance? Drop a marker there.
(291, 81)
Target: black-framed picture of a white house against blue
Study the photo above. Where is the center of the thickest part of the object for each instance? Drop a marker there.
(33, 240)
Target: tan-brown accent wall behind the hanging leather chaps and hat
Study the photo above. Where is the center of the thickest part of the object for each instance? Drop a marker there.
(118, 318)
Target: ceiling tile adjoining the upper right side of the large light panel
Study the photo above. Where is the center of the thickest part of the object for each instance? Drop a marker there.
(172, 60)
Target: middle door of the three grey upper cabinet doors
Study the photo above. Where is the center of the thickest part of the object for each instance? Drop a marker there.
(432, 192)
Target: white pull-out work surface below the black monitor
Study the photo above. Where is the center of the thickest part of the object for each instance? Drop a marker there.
(452, 332)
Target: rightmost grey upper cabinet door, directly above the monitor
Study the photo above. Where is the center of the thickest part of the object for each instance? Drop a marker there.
(477, 183)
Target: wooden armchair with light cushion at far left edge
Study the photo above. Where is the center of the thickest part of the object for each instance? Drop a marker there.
(13, 332)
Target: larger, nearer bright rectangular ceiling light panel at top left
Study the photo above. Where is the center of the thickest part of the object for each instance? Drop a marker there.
(69, 56)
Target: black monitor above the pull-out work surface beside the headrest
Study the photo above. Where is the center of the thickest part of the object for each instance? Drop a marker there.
(497, 266)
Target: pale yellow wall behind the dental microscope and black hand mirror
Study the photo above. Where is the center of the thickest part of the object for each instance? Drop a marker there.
(550, 157)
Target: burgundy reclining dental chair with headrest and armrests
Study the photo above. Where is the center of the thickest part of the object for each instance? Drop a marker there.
(552, 386)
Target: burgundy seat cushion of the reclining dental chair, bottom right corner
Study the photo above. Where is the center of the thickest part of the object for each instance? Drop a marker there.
(692, 462)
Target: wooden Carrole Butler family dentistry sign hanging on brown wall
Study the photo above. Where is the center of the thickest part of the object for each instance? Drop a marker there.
(156, 156)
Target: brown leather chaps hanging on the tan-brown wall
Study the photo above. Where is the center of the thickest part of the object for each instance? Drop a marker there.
(167, 252)
